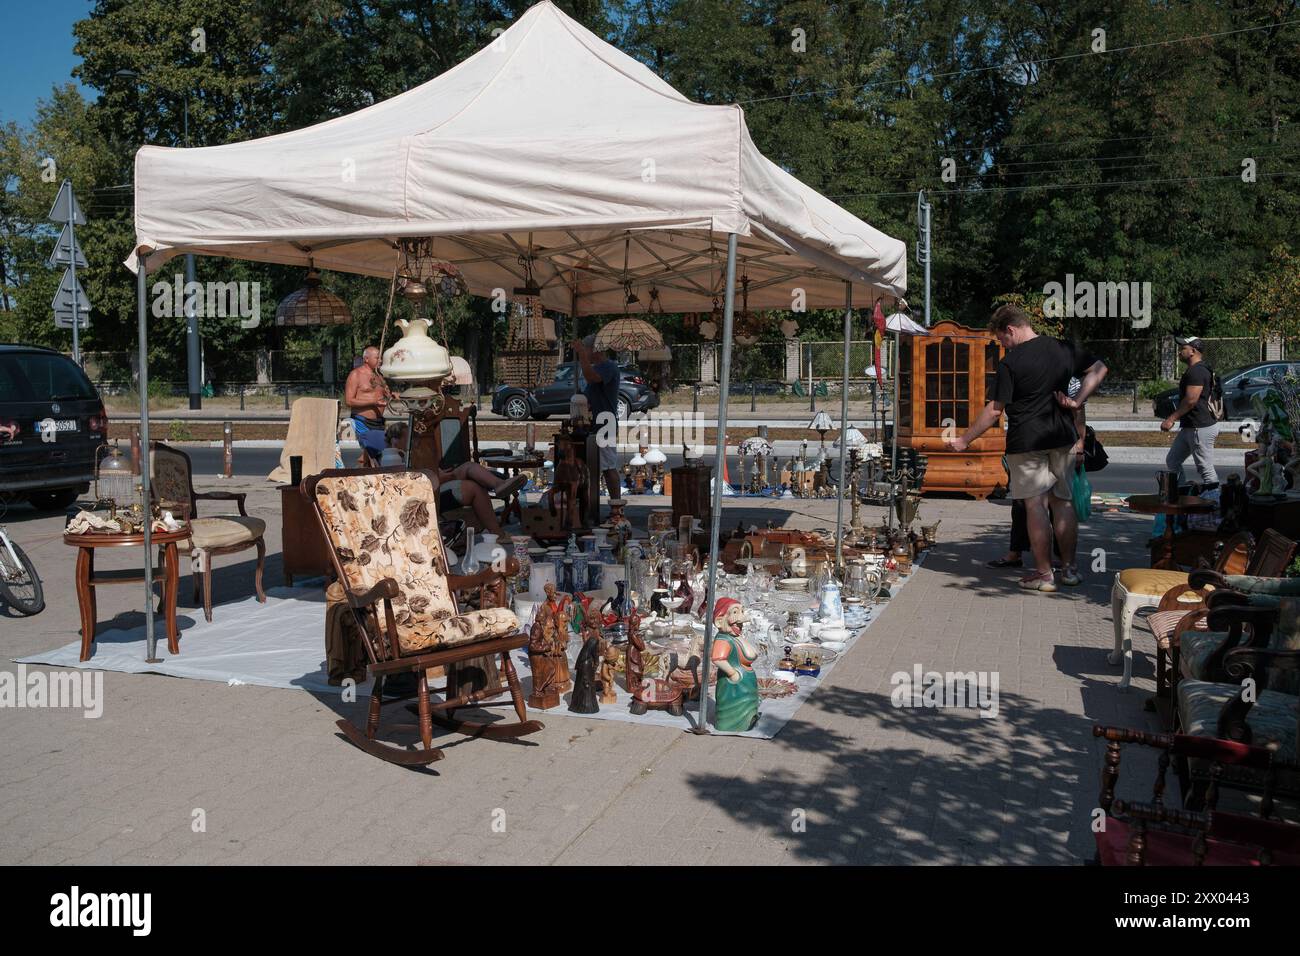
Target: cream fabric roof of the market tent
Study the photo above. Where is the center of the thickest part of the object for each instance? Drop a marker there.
(547, 144)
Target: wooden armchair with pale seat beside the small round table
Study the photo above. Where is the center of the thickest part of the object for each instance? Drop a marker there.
(172, 485)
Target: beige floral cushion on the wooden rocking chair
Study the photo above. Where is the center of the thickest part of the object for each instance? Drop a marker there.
(387, 526)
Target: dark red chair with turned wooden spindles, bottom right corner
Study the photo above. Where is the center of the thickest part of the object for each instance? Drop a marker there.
(1152, 834)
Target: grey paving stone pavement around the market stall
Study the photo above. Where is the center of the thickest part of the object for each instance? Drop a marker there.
(851, 780)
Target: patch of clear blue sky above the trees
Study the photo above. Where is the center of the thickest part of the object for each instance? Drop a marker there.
(36, 53)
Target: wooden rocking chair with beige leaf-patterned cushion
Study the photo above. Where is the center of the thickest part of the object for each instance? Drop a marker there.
(383, 529)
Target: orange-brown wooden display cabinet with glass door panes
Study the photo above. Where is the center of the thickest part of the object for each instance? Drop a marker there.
(944, 382)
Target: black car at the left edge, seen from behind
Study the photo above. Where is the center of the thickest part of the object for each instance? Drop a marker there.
(53, 425)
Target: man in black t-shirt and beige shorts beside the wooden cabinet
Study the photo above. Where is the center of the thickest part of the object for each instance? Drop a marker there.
(1043, 445)
